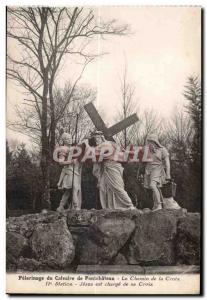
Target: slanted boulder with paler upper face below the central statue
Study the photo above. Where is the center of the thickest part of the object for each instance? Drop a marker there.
(104, 239)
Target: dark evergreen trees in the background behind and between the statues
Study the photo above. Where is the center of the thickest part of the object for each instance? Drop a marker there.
(24, 179)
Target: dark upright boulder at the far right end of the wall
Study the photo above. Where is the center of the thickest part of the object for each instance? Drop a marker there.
(187, 245)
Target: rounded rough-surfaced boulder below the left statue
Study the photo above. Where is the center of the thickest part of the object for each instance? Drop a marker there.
(52, 244)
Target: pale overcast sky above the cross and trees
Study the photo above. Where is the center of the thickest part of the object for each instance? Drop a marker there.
(162, 51)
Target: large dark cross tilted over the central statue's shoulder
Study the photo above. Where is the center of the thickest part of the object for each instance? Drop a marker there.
(100, 125)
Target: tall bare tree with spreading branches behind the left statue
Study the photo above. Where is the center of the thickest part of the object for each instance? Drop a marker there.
(44, 36)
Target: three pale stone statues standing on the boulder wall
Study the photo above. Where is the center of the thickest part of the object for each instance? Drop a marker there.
(109, 174)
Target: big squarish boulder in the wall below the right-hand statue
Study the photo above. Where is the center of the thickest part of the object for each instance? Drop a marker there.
(152, 241)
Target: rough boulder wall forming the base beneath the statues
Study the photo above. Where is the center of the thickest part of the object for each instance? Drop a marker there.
(60, 241)
